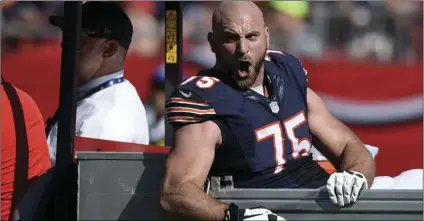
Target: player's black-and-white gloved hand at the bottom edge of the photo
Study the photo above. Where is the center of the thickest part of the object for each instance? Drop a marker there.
(258, 213)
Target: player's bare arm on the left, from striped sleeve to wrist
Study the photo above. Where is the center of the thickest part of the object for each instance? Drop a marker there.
(187, 168)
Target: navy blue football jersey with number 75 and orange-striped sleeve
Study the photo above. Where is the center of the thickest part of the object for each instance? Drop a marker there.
(266, 139)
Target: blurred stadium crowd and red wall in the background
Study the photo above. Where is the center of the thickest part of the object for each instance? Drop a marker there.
(351, 37)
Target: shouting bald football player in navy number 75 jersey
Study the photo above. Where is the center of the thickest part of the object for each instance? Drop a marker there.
(252, 116)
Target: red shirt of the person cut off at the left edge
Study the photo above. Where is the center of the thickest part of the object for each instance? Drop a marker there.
(38, 155)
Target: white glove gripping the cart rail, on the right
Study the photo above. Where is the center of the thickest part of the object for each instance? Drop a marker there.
(344, 187)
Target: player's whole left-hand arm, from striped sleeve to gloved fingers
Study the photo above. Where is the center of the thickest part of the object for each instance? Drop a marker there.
(196, 136)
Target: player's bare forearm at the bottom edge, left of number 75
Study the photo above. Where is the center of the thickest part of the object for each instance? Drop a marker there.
(191, 202)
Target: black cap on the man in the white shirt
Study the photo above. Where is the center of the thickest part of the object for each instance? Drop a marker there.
(103, 20)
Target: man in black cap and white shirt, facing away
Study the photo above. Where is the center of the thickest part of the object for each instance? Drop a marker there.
(108, 106)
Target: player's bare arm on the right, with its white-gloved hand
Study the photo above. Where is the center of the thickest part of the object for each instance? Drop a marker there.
(344, 149)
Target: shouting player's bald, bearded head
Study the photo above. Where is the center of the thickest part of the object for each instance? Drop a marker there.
(239, 39)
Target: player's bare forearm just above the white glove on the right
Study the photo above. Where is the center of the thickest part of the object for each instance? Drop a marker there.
(356, 157)
